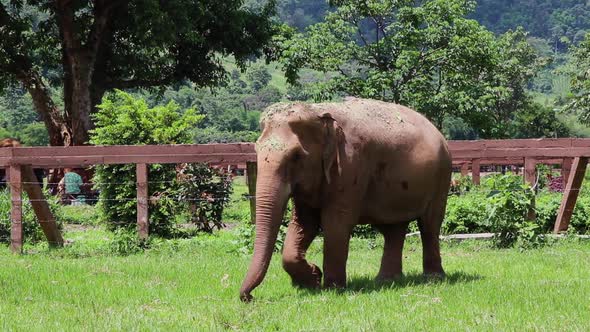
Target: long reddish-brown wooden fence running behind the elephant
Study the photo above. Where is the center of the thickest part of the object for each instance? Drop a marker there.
(469, 156)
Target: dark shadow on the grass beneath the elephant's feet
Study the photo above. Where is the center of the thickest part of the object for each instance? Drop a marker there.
(369, 285)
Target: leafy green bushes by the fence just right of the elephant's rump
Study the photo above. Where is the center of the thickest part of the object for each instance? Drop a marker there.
(500, 205)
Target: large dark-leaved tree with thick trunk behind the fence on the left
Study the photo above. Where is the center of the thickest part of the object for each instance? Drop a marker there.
(90, 47)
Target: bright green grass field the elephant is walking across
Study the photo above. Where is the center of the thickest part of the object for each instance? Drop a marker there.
(193, 284)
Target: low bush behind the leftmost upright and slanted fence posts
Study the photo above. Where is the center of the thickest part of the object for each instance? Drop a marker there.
(31, 228)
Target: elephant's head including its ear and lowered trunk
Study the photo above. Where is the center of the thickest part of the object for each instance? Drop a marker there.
(297, 152)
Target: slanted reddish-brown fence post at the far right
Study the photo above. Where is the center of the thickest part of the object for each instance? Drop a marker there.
(570, 194)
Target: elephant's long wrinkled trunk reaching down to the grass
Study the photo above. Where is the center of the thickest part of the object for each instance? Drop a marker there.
(272, 194)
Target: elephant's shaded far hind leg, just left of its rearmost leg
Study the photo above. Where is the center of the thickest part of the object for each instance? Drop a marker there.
(391, 262)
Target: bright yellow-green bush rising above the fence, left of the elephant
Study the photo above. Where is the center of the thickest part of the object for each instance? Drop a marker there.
(124, 120)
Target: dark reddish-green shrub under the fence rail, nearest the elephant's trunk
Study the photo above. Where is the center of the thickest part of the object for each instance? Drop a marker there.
(206, 191)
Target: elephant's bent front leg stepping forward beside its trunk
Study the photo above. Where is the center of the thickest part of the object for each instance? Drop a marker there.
(303, 229)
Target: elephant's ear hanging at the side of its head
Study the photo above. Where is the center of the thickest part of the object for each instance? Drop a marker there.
(333, 137)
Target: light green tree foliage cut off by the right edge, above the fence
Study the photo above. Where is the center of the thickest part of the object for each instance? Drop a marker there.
(580, 75)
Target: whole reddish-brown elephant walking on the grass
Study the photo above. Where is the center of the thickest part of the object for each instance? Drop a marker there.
(359, 161)
